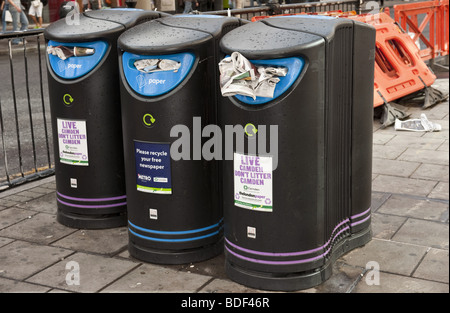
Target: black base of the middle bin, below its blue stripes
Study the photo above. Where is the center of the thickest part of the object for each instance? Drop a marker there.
(177, 256)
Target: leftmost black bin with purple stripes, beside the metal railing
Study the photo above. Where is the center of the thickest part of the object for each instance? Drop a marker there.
(85, 107)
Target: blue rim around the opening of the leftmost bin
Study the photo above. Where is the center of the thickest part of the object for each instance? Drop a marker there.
(76, 67)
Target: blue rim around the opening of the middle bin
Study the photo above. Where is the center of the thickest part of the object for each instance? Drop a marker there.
(156, 83)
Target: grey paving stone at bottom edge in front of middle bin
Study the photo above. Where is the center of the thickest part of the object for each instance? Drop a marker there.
(154, 278)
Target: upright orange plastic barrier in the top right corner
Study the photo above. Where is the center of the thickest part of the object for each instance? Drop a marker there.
(433, 28)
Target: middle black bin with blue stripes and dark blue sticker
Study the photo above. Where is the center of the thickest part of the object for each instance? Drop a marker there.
(174, 205)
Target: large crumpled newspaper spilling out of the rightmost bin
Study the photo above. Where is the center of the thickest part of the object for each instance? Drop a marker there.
(238, 76)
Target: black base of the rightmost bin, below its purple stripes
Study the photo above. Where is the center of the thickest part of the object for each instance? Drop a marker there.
(296, 281)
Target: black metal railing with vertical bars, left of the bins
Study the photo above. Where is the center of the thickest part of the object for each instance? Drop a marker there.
(26, 149)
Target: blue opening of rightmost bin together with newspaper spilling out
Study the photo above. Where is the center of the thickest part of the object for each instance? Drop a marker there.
(257, 81)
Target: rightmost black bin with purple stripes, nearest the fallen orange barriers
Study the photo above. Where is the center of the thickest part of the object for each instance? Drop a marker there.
(292, 209)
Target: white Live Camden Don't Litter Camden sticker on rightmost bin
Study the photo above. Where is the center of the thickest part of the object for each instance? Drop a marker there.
(253, 182)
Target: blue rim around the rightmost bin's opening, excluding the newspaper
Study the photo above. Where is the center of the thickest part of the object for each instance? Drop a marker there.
(294, 65)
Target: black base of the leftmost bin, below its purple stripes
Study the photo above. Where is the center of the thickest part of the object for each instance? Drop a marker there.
(93, 221)
